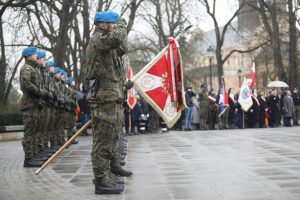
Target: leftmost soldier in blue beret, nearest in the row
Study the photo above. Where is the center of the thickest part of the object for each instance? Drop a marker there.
(29, 83)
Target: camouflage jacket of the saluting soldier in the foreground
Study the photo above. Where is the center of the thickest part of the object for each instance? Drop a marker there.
(104, 64)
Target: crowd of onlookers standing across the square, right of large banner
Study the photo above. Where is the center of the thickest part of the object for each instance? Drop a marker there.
(270, 109)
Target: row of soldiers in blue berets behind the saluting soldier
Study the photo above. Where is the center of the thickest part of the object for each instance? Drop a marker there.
(48, 105)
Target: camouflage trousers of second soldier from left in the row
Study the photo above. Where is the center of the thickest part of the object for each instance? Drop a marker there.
(42, 139)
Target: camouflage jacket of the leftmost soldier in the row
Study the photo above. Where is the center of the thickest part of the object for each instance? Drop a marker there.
(29, 83)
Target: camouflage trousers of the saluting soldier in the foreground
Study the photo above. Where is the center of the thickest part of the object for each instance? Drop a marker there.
(107, 119)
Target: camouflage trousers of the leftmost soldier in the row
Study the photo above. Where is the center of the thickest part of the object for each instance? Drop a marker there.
(30, 134)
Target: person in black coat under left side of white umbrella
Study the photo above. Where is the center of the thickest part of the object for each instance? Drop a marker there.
(273, 104)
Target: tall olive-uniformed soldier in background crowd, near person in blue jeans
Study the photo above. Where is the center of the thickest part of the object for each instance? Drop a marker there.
(203, 103)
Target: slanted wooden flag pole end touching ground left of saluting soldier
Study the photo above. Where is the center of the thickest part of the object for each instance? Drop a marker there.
(63, 147)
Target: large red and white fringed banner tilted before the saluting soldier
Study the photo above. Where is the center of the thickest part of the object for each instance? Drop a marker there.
(160, 83)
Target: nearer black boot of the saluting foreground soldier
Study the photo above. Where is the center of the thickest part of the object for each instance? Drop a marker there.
(105, 187)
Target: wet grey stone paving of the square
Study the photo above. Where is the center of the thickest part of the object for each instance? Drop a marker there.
(257, 164)
